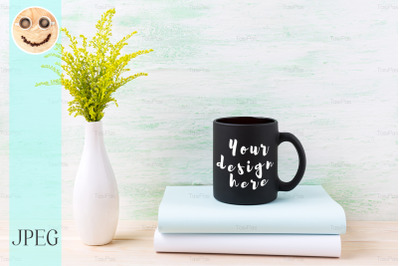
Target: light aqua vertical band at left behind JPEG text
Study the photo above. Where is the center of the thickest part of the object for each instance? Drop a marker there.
(35, 150)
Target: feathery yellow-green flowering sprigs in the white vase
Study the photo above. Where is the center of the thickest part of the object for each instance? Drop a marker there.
(92, 71)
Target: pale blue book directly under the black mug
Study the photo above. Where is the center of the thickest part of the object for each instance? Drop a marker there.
(304, 210)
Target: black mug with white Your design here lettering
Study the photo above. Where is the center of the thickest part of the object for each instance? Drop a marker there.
(246, 160)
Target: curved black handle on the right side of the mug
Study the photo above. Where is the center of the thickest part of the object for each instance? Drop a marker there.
(286, 186)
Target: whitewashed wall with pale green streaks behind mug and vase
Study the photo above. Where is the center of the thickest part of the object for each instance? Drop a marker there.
(327, 70)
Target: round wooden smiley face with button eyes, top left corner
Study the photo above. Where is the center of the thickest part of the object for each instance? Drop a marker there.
(35, 30)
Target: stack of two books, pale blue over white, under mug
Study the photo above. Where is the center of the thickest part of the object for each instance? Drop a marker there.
(303, 222)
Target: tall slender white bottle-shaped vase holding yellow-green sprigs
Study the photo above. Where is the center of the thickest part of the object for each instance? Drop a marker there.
(96, 201)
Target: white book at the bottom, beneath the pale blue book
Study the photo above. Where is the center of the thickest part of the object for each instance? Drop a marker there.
(257, 244)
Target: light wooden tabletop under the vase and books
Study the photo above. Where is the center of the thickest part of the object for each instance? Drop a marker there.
(365, 243)
